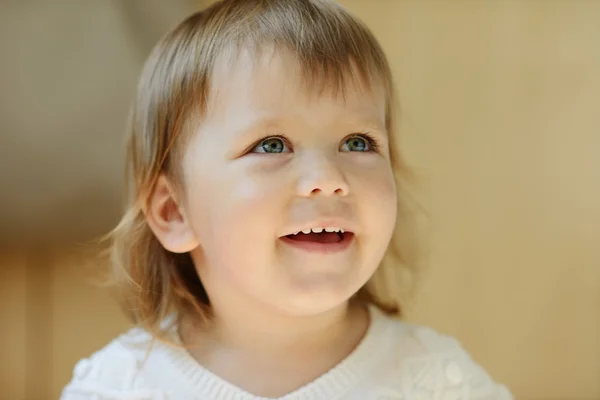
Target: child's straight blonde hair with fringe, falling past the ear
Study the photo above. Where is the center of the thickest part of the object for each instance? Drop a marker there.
(331, 46)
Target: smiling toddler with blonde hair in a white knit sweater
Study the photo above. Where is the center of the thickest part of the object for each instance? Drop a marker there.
(262, 248)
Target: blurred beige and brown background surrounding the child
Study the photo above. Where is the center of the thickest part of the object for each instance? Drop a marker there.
(500, 104)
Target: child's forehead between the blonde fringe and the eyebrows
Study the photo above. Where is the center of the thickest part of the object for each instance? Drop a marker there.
(272, 81)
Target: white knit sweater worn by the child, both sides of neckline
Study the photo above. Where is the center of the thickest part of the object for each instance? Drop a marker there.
(394, 361)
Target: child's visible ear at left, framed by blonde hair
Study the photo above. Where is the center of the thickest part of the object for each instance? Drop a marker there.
(167, 219)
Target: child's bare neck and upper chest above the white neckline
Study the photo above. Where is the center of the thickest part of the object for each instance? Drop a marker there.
(271, 354)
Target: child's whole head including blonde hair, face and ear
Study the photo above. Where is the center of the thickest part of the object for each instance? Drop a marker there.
(256, 119)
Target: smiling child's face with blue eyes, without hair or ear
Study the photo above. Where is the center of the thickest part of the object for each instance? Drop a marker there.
(245, 194)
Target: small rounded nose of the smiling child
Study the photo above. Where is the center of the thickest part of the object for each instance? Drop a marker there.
(322, 176)
